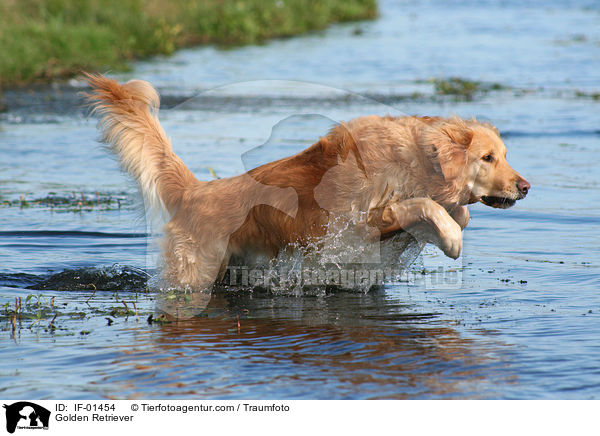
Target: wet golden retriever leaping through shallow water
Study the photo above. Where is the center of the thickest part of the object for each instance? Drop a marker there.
(383, 175)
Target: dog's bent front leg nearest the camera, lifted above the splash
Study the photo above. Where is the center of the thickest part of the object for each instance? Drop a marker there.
(417, 214)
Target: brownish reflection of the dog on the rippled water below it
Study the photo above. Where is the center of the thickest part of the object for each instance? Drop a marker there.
(346, 345)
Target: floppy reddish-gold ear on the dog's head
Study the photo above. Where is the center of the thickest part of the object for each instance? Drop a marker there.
(451, 141)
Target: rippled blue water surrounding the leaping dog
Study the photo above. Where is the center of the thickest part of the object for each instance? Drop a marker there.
(517, 316)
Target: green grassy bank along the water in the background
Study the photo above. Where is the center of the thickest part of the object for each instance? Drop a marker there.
(47, 39)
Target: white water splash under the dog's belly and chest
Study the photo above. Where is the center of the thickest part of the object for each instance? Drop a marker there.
(343, 259)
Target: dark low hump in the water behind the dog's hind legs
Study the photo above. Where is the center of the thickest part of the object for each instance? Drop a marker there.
(114, 278)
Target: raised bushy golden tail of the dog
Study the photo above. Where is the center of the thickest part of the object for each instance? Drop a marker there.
(130, 126)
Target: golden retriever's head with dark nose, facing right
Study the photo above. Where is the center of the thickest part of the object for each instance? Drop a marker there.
(472, 155)
